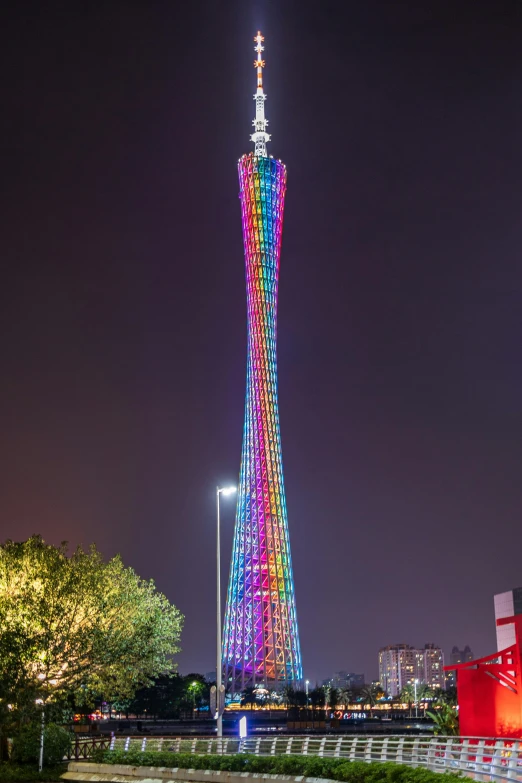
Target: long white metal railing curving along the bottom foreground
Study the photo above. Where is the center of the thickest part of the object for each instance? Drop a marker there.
(482, 759)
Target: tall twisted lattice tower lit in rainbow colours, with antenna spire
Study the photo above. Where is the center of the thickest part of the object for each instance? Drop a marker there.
(260, 638)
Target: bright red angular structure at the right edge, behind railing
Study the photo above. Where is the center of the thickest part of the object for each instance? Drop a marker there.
(489, 690)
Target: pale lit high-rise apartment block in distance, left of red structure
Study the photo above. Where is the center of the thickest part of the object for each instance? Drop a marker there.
(402, 664)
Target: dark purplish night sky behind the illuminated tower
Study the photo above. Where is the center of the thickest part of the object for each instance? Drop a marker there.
(123, 312)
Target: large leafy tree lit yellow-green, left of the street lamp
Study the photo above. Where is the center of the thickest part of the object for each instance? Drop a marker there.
(73, 624)
